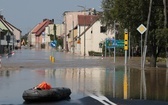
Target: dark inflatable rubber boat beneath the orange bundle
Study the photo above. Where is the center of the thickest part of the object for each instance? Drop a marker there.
(53, 94)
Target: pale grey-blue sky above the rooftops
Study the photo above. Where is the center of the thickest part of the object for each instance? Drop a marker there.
(26, 14)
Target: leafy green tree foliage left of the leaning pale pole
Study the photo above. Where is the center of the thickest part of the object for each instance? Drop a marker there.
(128, 13)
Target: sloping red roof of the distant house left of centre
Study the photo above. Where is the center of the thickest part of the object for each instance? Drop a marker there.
(41, 26)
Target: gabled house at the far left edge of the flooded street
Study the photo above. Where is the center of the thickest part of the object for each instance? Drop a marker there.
(10, 36)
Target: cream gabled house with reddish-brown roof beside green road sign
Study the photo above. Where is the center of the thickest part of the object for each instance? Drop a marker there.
(91, 34)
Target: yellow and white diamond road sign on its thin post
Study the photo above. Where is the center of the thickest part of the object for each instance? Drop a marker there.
(141, 30)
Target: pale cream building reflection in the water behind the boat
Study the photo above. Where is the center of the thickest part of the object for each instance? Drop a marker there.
(82, 79)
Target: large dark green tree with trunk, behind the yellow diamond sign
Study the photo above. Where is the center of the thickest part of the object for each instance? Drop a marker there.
(130, 14)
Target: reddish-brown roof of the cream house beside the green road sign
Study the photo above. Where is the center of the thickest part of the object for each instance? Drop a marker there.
(87, 19)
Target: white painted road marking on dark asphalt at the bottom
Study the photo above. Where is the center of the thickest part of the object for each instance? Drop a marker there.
(103, 100)
